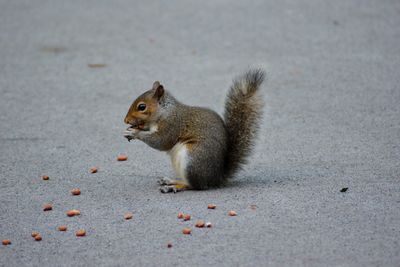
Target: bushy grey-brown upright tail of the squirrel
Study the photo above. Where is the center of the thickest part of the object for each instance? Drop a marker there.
(243, 111)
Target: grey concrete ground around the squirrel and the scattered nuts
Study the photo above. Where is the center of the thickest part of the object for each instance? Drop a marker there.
(332, 120)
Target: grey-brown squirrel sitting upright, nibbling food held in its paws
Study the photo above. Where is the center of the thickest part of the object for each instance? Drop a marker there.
(205, 149)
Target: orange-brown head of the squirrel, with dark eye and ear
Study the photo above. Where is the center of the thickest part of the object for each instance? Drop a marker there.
(144, 109)
